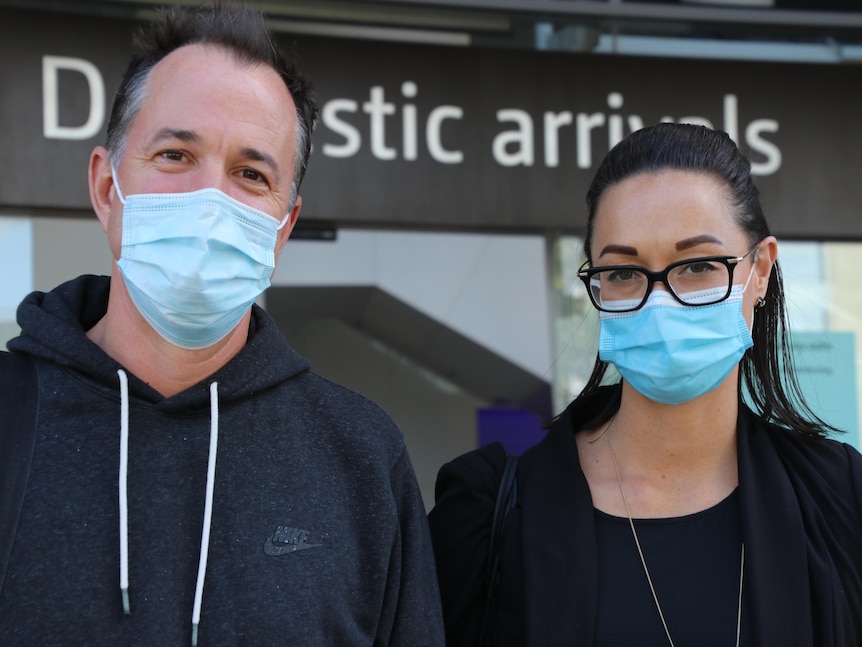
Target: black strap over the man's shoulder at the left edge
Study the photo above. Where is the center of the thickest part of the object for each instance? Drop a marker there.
(18, 405)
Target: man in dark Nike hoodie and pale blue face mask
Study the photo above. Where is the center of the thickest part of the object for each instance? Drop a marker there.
(191, 479)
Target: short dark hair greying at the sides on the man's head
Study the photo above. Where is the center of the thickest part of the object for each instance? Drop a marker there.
(238, 30)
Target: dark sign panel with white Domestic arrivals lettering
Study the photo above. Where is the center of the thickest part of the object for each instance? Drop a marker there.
(459, 138)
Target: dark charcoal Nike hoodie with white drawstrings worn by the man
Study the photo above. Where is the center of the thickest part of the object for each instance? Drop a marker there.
(317, 529)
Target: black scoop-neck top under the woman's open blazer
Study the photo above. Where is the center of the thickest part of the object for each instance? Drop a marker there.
(694, 564)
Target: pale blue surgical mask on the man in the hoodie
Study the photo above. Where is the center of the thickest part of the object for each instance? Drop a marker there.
(193, 263)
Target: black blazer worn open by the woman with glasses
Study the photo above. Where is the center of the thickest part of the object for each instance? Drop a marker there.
(801, 516)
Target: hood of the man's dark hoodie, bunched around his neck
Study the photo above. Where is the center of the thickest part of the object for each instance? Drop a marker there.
(53, 326)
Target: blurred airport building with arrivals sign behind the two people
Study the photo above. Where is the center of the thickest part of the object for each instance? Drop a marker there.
(434, 265)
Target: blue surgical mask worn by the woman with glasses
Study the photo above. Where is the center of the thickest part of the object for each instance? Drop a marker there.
(672, 353)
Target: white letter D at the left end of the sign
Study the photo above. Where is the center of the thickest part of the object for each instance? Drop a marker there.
(50, 99)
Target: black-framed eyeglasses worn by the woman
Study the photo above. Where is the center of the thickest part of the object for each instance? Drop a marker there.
(692, 282)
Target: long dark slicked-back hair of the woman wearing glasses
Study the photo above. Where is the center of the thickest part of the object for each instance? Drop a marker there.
(766, 369)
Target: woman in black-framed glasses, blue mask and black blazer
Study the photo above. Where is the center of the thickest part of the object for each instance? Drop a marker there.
(662, 510)
